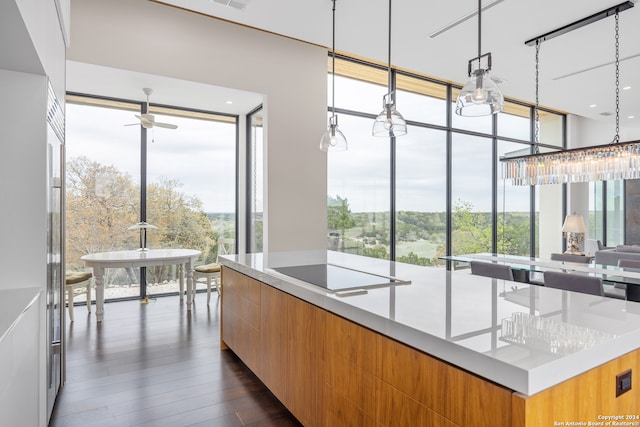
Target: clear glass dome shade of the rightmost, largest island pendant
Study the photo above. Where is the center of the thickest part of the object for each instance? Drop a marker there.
(480, 96)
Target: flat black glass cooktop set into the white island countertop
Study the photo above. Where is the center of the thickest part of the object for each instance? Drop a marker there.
(336, 278)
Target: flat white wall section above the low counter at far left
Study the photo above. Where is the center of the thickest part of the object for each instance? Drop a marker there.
(23, 216)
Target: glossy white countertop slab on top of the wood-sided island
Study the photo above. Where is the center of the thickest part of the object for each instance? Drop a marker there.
(524, 337)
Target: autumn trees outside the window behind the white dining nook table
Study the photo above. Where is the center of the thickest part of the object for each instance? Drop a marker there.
(102, 202)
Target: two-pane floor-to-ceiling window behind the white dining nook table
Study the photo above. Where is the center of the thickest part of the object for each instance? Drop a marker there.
(189, 195)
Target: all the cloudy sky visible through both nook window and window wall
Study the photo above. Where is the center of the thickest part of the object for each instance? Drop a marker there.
(201, 154)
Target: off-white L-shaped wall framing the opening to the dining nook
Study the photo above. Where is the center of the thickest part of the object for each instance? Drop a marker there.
(147, 37)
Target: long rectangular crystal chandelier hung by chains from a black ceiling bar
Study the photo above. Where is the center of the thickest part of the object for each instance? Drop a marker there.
(615, 160)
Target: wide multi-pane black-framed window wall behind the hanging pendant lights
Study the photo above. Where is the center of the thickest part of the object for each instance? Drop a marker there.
(440, 184)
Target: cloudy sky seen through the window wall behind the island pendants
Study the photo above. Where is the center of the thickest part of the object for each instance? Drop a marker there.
(361, 174)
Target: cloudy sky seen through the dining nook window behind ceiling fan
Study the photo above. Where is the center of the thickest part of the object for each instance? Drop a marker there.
(200, 154)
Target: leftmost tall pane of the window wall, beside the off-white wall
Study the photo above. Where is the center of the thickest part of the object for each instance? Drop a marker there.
(358, 218)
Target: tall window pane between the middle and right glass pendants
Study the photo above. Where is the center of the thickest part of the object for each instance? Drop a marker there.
(421, 199)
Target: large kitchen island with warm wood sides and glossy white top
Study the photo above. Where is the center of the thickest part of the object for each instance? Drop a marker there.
(431, 347)
